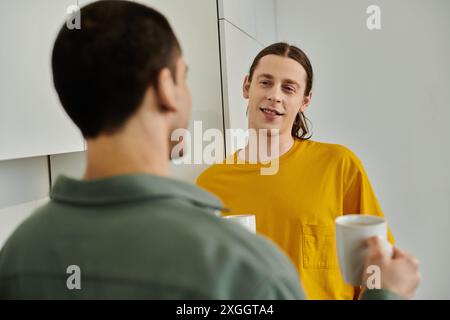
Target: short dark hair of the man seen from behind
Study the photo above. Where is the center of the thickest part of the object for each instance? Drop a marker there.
(102, 71)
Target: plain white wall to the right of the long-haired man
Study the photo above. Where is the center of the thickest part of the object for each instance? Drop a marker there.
(385, 94)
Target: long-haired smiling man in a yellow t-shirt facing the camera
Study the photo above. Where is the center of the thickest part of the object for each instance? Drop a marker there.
(315, 182)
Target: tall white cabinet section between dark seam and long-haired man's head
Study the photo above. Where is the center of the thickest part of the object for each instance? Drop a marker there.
(246, 27)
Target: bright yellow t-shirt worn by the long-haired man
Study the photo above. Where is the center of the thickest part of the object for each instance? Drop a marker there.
(296, 207)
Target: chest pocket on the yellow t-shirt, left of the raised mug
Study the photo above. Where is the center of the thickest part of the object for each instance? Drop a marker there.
(319, 247)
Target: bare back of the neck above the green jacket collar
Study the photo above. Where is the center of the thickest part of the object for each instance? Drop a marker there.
(126, 153)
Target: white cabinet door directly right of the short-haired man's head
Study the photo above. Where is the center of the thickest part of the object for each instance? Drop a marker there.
(195, 24)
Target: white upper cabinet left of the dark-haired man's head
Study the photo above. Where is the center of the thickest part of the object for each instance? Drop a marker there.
(32, 121)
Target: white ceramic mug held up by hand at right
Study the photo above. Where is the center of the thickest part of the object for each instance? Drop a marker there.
(351, 232)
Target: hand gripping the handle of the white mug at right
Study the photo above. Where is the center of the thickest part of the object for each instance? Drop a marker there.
(399, 273)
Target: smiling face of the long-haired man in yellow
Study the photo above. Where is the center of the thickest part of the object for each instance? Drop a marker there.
(275, 93)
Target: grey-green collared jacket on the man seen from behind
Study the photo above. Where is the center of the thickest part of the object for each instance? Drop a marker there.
(141, 237)
